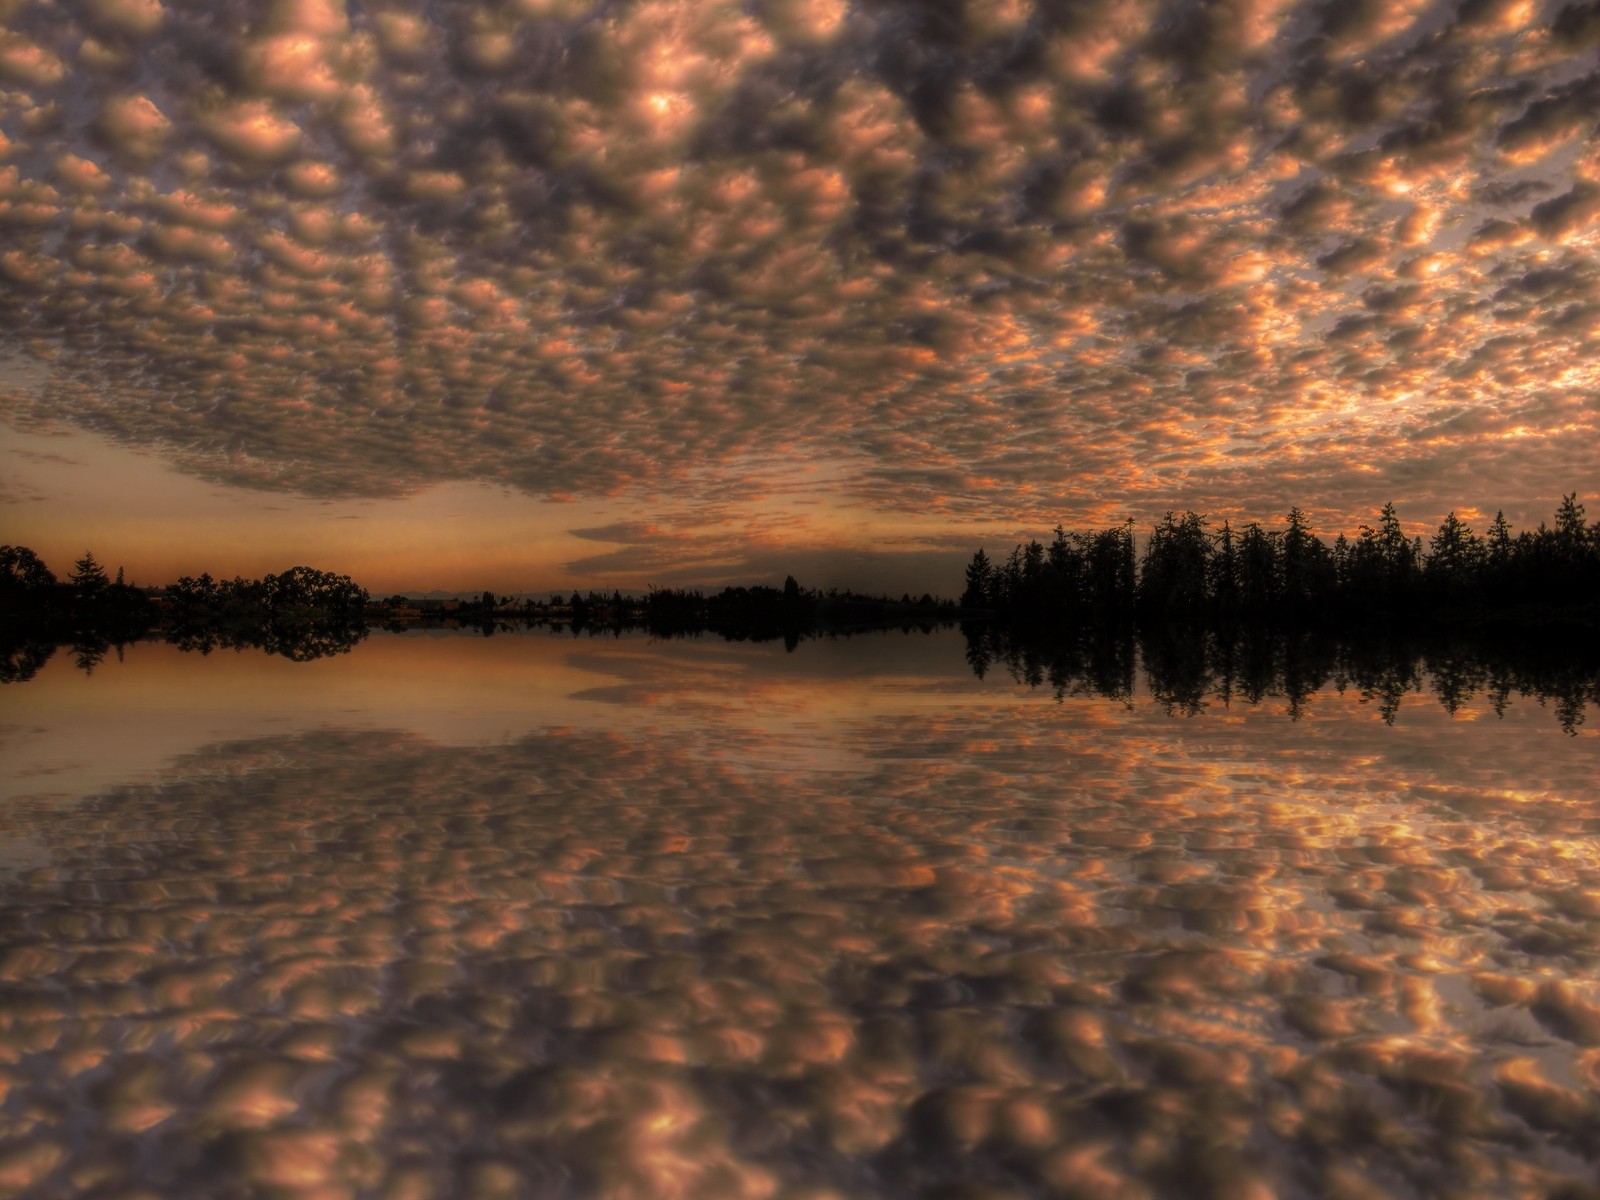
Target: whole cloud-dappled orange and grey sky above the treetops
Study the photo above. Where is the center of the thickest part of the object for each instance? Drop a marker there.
(542, 294)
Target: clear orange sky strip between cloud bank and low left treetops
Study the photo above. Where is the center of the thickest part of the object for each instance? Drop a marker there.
(89, 494)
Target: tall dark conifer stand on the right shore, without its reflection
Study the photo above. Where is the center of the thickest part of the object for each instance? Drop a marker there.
(1196, 572)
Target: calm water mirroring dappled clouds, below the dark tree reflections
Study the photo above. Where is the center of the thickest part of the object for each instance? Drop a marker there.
(630, 921)
